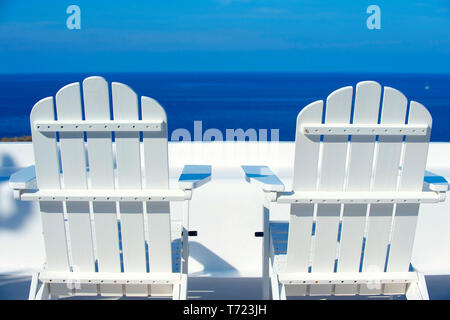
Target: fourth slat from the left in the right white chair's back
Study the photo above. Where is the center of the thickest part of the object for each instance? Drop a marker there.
(385, 179)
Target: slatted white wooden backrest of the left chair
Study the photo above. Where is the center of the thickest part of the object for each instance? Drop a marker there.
(102, 236)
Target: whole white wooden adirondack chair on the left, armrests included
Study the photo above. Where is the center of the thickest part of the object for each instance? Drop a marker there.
(104, 199)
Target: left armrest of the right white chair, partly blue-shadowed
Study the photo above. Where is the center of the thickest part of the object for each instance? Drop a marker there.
(263, 176)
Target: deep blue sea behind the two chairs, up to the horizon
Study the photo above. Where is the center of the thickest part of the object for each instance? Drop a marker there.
(227, 100)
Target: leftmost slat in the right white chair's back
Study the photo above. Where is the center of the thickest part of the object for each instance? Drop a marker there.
(305, 179)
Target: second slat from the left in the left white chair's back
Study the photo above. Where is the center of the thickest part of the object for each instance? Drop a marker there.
(73, 161)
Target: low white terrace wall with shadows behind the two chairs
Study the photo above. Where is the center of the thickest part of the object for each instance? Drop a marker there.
(226, 212)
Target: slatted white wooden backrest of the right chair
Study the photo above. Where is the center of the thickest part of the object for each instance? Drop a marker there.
(357, 237)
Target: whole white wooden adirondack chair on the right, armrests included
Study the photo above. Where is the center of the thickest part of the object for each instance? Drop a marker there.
(355, 198)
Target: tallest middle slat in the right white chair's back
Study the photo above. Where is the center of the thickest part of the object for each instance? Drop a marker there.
(367, 103)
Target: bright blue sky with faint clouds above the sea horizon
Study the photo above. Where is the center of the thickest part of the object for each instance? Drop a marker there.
(225, 35)
